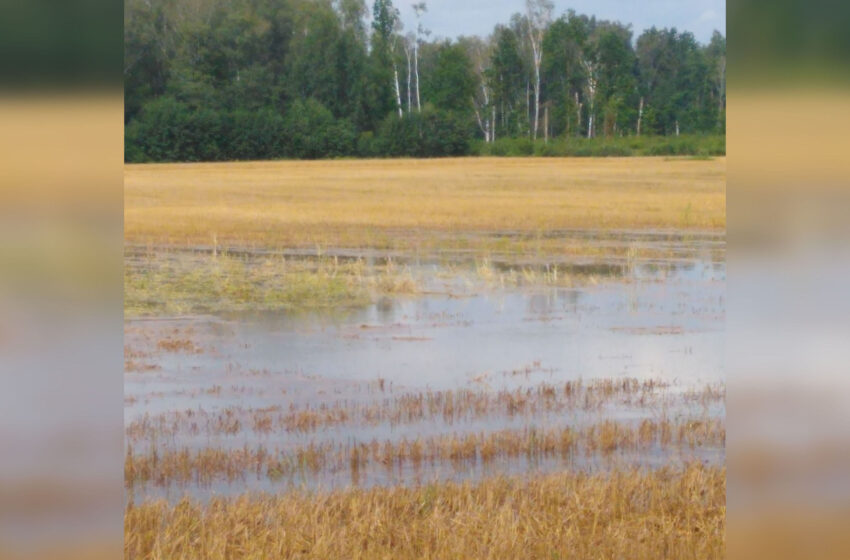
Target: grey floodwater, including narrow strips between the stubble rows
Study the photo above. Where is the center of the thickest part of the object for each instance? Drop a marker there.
(659, 320)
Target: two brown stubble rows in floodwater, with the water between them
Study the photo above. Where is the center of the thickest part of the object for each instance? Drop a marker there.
(567, 423)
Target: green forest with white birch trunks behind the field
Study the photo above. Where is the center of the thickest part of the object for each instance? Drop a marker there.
(222, 80)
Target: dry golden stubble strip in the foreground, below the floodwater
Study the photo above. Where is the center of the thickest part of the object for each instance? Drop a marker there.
(635, 515)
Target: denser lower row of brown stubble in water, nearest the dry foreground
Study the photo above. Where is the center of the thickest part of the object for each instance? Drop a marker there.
(162, 466)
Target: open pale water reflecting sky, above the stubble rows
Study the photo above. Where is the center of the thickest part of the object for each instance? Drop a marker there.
(666, 324)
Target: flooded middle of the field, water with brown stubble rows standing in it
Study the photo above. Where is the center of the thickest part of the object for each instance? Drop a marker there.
(485, 367)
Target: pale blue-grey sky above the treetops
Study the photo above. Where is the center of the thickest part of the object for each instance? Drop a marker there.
(452, 18)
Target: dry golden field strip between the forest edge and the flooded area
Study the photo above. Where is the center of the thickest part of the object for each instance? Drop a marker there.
(406, 203)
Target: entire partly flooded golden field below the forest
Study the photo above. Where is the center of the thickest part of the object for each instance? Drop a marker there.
(317, 354)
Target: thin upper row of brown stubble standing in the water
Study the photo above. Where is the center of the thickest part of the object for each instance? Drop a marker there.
(450, 407)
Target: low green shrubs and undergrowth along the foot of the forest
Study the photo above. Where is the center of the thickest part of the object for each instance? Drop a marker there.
(169, 130)
